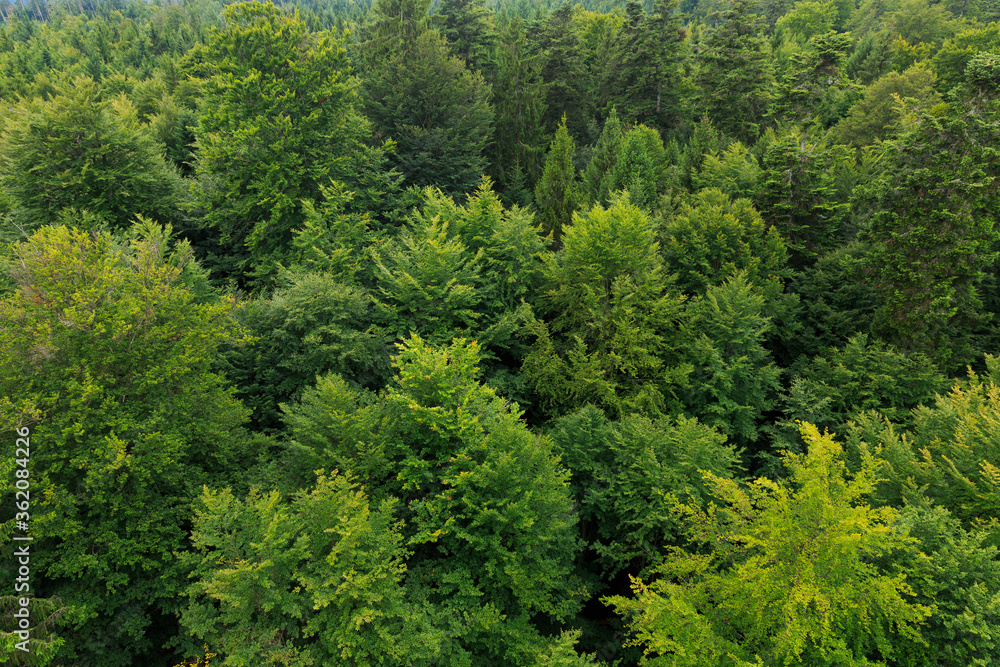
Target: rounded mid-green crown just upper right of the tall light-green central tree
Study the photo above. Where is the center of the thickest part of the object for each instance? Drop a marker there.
(713, 238)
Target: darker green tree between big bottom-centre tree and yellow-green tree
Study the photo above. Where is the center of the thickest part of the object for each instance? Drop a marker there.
(627, 475)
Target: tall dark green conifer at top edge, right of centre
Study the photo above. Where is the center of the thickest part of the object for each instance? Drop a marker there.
(735, 72)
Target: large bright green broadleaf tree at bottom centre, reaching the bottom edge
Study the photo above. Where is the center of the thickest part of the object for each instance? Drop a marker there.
(488, 512)
